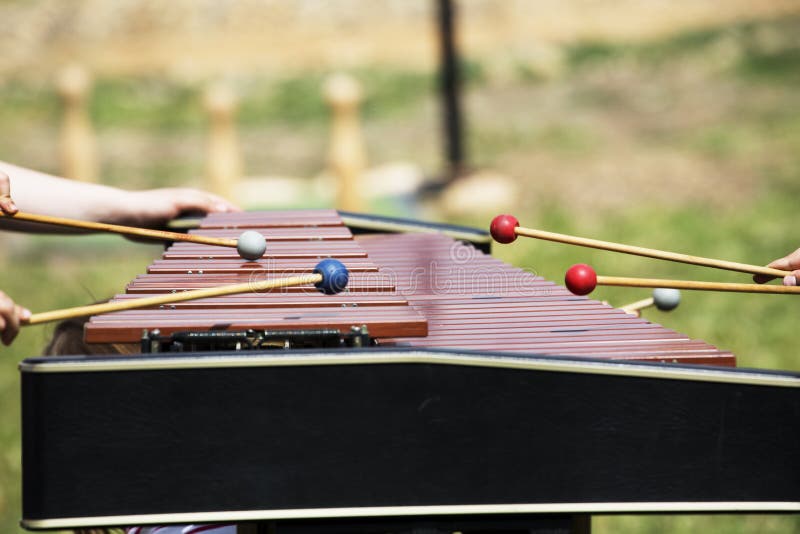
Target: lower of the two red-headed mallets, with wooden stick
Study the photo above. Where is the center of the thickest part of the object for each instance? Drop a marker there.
(581, 279)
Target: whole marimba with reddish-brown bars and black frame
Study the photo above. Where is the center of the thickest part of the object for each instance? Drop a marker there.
(463, 393)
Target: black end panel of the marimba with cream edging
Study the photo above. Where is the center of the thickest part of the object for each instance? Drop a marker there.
(314, 435)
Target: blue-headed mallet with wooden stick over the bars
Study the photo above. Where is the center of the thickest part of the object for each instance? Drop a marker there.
(330, 276)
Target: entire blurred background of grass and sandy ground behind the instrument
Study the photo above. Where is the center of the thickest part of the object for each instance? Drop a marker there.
(675, 129)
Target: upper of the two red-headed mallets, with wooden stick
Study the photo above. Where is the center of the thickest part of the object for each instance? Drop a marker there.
(505, 229)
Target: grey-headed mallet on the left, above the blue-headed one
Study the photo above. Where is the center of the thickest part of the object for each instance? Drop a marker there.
(250, 244)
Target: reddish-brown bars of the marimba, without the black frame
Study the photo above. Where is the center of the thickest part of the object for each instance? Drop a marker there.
(410, 289)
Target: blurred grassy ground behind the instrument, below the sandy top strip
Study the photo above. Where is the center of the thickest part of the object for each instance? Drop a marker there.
(690, 143)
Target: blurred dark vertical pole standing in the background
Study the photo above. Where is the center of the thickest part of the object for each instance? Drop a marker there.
(450, 84)
